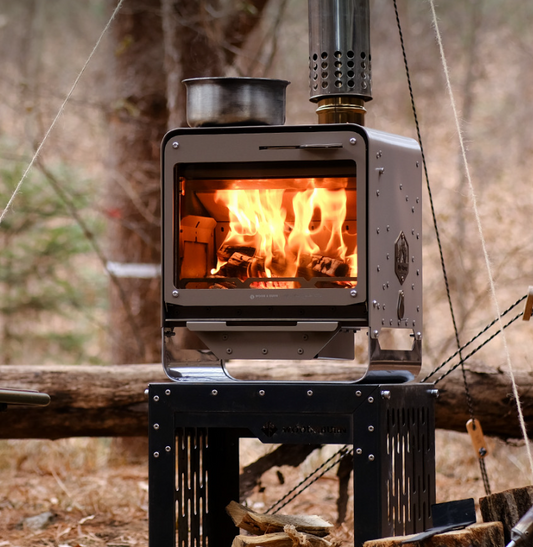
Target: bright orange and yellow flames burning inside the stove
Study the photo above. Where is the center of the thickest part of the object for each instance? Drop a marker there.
(287, 233)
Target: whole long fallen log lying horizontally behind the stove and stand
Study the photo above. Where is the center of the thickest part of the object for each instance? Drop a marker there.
(109, 401)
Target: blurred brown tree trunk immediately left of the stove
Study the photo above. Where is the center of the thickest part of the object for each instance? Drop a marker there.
(138, 123)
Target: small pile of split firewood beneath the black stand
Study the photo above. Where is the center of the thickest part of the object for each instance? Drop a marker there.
(278, 530)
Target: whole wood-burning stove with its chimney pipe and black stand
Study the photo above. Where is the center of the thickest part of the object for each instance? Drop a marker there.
(283, 242)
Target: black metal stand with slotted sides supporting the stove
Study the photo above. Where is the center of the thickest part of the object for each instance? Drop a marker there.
(194, 451)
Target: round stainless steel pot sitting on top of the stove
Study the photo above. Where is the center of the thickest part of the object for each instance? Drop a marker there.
(235, 101)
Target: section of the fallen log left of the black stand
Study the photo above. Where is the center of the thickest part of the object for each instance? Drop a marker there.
(86, 401)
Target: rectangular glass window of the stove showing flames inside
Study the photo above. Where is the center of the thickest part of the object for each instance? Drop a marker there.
(266, 226)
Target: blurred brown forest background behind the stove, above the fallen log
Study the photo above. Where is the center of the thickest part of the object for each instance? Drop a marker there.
(92, 196)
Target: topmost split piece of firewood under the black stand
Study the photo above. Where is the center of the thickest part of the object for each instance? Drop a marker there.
(259, 524)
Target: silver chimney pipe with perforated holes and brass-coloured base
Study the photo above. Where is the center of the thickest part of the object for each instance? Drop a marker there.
(339, 59)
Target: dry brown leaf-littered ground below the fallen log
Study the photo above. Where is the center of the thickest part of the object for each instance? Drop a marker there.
(78, 493)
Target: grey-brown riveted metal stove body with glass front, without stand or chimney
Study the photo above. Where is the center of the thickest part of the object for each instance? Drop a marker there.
(281, 242)
